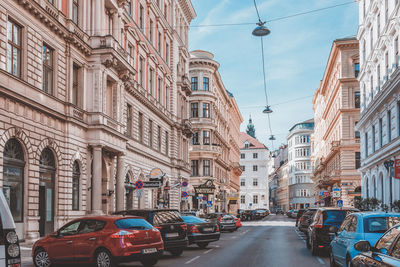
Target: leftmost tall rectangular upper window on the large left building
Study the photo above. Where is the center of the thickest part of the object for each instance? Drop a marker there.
(14, 48)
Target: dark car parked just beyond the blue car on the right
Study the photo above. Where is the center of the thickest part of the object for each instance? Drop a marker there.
(318, 234)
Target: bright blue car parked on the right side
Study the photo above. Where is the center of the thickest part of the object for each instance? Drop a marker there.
(368, 226)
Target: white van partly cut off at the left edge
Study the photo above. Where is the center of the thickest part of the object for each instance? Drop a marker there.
(10, 255)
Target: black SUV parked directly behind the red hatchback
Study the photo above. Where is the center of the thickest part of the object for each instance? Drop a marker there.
(171, 225)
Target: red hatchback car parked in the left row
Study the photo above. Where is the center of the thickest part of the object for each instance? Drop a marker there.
(103, 240)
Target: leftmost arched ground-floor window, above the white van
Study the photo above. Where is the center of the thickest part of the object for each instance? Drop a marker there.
(13, 177)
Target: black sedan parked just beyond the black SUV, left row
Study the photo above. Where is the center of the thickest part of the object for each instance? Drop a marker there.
(201, 232)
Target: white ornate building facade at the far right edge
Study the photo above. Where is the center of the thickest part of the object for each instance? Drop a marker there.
(379, 124)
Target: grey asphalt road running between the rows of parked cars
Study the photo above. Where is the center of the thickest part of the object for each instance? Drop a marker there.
(271, 242)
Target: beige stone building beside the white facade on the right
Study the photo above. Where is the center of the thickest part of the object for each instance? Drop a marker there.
(336, 144)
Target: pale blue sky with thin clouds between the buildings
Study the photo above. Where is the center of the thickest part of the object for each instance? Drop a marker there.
(296, 53)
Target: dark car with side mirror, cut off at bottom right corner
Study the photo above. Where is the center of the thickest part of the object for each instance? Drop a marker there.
(385, 252)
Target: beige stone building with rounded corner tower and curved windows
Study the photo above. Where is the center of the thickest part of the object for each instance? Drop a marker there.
(214, 150)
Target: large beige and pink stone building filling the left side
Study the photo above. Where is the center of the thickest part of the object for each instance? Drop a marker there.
(93, 97)
